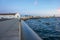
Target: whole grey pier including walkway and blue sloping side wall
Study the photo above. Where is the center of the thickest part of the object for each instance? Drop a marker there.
(14, 29)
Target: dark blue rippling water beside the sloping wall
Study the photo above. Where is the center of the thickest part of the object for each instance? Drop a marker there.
(46, 28)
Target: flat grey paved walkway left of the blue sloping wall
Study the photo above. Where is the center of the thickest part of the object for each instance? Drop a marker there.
(9, 30)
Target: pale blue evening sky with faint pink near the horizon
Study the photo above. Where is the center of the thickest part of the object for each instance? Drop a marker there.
(31, 7)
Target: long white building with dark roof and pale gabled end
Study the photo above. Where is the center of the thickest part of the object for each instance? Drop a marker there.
(9, 15)
